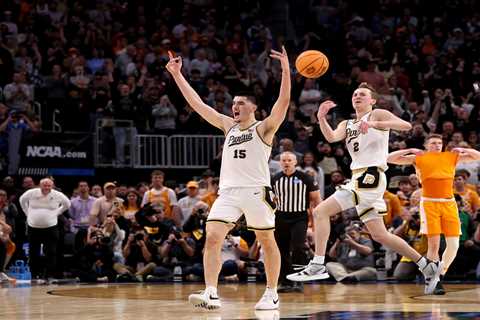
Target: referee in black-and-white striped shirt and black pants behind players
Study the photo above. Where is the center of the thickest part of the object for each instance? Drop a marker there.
(296, 192)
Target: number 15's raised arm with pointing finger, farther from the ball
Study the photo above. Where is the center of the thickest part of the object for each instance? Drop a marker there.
(215, 118)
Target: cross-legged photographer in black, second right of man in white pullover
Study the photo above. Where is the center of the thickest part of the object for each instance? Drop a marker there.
(139, 253)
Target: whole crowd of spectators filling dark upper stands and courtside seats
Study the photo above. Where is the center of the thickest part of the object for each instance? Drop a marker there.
(85, 61)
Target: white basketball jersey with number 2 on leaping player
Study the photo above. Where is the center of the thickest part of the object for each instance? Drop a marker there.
(366, 150)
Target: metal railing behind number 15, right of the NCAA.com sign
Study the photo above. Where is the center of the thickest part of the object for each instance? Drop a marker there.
(147, 151)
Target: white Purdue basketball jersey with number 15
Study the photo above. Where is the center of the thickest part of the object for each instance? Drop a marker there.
(245, 159)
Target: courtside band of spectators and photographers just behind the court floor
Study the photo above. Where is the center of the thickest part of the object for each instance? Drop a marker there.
(117, 232)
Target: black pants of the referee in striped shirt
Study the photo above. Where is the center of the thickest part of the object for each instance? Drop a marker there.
(291, 234)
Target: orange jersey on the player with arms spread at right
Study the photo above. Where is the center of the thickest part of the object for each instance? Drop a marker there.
(436, 171)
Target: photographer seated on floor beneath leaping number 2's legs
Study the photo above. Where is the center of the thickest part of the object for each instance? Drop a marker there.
(355, 261)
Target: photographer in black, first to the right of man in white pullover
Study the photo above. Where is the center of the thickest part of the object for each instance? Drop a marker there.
(95, 260)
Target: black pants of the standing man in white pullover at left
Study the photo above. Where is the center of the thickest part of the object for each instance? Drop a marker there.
(49, 238)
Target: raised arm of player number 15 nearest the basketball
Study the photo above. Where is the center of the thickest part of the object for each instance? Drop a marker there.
(279, 111)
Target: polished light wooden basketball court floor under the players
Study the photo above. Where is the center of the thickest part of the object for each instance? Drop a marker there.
(169, 301)
